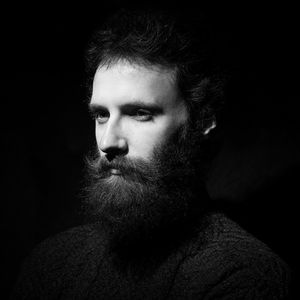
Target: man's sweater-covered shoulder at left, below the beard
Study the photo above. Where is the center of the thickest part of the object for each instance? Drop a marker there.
(54, 260)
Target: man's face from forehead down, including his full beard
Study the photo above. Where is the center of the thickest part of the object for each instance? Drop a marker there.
(143, 176)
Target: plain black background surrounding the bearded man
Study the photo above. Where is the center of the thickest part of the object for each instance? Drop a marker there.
(46, 130)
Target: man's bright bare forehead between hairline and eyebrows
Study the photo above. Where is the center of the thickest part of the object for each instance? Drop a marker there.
(124, 81)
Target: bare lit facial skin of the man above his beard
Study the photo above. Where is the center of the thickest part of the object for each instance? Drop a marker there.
(136, 109)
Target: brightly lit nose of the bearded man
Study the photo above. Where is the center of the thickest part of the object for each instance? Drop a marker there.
(112, 142)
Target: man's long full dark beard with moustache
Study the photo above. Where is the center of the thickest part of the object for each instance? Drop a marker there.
(151, 202)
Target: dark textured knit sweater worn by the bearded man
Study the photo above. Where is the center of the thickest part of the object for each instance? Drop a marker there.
(221, 262)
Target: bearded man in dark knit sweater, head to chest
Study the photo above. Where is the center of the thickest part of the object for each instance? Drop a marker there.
(156, 91)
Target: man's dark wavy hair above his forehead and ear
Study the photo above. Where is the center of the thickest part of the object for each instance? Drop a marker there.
(175, 42)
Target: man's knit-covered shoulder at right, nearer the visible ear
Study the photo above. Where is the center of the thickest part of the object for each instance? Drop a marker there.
(227, 260)
